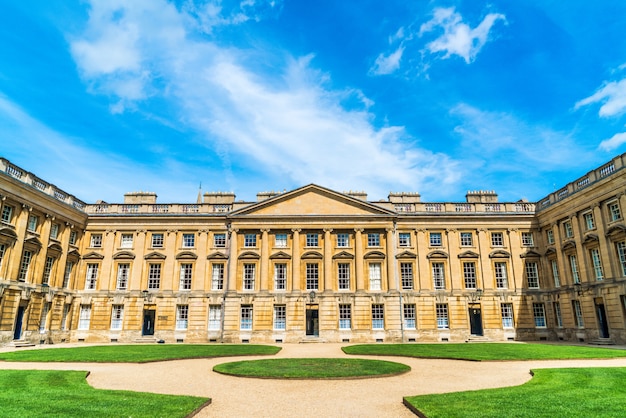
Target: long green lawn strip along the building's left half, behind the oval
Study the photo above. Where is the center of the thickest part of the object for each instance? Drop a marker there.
(138, 353)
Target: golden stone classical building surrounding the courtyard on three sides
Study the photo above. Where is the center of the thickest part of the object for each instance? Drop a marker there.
(313, 264)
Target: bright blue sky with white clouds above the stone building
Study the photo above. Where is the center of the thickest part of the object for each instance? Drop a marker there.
(101, 98)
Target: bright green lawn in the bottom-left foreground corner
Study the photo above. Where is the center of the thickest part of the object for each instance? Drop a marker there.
(54, 393)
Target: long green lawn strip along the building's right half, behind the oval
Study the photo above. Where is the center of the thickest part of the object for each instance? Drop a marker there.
(485, 351)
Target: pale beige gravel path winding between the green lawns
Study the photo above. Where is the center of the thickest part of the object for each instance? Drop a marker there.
(246, 397)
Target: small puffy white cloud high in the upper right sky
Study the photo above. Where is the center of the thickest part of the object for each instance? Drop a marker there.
(458, 38)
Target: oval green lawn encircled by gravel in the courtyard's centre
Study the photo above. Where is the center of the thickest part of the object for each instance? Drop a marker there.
(311, 368)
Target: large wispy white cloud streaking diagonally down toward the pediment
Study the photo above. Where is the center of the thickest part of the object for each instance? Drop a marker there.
(288, 122)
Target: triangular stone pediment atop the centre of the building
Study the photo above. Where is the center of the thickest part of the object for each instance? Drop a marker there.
(312, 200)
